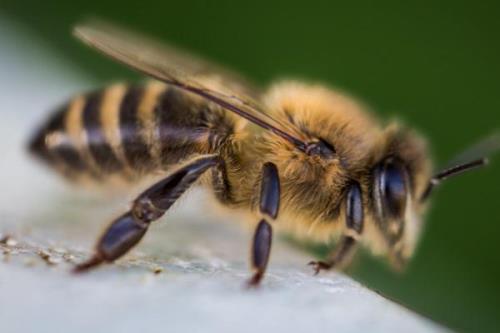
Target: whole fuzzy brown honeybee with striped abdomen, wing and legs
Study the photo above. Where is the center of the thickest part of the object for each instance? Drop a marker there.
(301, 158)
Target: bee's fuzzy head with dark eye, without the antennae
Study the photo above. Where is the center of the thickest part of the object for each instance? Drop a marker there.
(397, 182)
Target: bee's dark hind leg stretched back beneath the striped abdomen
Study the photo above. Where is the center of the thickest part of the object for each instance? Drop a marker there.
(128, 229)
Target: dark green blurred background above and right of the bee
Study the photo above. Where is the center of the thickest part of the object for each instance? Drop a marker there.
(435, 65)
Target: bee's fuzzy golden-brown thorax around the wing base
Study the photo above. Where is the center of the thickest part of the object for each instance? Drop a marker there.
(310, 182)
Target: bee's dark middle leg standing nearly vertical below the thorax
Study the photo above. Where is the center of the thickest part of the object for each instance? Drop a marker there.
(269, 202)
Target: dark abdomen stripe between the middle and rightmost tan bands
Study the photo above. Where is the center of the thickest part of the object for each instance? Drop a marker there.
(134, 145)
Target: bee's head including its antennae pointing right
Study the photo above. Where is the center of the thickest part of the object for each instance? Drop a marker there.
(401, 183)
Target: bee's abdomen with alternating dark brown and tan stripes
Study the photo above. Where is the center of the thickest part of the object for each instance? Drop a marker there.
(129, 131)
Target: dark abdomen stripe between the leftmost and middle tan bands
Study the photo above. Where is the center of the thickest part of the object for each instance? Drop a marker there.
(99, 148)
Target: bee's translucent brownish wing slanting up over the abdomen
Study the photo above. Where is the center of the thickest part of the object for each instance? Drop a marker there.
(177, 68)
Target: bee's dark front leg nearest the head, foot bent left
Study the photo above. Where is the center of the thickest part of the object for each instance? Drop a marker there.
(346, 247)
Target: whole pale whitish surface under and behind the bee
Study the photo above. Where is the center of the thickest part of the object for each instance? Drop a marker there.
(204, 264)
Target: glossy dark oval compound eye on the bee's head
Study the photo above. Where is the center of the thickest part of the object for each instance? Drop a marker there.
(391, 185)
